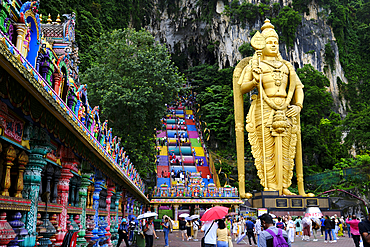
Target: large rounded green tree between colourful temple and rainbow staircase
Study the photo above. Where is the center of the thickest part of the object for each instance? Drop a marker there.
(131, 79)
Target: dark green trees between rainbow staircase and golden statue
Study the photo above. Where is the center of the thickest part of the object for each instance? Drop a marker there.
(215, 98)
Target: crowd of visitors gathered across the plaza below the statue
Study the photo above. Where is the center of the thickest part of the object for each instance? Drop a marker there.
(261, 232)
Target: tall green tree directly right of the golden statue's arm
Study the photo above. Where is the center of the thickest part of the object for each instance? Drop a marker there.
(321, 127)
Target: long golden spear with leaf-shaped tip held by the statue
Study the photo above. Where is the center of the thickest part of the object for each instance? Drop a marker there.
(258, 42)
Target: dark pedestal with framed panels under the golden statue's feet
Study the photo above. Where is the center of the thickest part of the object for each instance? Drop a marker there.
(287, 205)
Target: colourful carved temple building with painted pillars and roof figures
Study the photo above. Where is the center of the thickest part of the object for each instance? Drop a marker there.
(62, 171)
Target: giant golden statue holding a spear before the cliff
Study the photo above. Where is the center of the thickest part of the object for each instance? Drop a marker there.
(275, 135)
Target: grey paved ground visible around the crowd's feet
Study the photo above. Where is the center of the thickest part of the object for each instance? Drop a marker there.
(175, 241)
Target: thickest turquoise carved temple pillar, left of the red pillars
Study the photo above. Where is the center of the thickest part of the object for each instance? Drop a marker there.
(39, 146)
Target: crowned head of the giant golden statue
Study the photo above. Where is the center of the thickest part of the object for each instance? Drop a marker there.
(272, 39)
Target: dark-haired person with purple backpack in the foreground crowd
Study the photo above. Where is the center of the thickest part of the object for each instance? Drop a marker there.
(266, 238)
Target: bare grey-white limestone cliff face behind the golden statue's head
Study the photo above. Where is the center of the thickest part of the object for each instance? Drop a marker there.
(194, 40)
